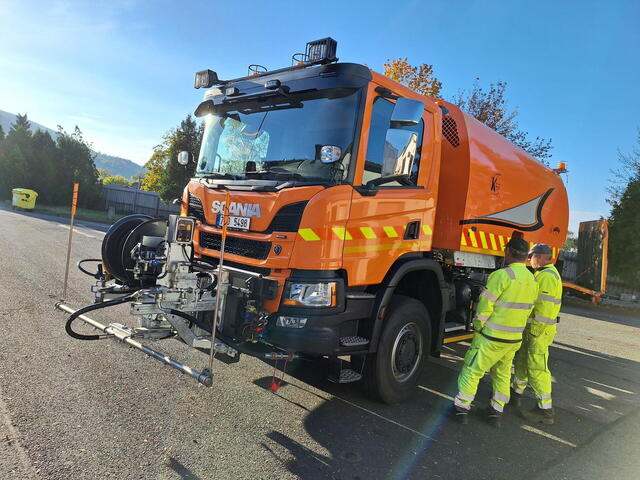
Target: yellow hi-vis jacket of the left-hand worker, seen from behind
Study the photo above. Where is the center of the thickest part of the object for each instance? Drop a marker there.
(506, 303)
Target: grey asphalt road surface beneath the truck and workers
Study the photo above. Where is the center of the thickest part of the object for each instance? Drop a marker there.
(76, 410)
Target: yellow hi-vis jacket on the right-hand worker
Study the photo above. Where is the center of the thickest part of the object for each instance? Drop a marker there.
(547, 305)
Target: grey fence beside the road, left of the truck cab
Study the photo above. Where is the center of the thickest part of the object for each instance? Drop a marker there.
(125, 201)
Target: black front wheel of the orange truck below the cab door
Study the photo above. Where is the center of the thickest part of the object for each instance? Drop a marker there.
(393, 372)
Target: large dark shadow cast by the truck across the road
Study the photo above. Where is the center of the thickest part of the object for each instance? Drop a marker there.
(363, 439)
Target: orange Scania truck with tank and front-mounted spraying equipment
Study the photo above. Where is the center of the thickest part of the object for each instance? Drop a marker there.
(334, 213)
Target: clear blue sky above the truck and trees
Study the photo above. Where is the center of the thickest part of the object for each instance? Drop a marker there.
(122, 70)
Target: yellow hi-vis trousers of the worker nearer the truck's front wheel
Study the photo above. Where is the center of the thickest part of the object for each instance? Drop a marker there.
(484, 356)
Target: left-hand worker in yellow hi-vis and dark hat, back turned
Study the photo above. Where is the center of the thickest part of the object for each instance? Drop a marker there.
(501, 317)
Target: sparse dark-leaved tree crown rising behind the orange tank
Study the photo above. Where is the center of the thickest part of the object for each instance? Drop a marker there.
(491, 108)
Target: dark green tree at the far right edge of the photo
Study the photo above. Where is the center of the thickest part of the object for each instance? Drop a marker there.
(624, 221)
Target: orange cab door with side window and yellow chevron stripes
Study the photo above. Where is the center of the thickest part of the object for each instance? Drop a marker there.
(391, 219)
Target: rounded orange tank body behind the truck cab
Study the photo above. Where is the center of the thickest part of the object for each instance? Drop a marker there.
(490, 188)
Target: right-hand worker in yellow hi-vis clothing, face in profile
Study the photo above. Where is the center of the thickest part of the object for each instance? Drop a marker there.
(531, 363)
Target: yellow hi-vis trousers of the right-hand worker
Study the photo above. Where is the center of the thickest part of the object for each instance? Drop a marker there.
(531, 364)
